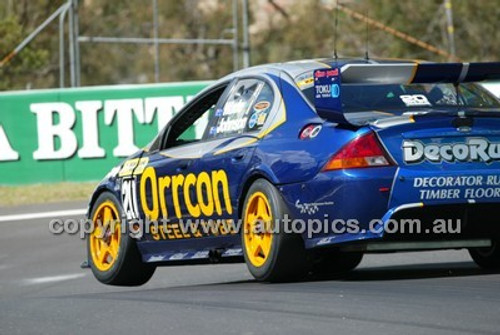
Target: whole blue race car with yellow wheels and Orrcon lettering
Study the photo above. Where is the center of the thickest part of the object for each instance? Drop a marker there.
(303, 167)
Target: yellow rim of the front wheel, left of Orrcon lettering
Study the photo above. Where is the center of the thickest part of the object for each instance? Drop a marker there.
(105, 237)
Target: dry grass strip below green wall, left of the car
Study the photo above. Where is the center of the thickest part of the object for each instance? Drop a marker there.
(45, 193)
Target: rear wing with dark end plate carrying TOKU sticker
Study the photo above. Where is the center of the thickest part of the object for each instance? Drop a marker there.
(328, 82)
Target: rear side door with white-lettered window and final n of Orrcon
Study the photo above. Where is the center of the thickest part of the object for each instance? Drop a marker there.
(238, 120)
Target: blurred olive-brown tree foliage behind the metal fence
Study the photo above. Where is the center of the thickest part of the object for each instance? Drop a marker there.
(280, 31)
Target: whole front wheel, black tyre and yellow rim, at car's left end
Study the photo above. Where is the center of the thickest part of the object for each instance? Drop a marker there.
(112, 254)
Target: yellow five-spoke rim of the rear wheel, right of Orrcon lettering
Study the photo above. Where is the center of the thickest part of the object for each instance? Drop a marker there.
(257, 232)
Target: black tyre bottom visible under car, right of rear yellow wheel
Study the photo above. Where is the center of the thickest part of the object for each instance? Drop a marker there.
(333, 262)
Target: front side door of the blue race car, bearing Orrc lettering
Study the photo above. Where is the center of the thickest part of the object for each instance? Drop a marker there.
(167, 186)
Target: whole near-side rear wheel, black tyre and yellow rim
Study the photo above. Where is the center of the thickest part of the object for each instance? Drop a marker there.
(272, 256)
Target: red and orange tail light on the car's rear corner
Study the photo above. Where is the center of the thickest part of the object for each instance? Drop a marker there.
(364, 151)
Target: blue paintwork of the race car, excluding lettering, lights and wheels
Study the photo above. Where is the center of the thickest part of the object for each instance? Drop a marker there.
(294, 166)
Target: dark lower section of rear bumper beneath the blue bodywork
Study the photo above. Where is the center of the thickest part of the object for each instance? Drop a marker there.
(419, 227)
